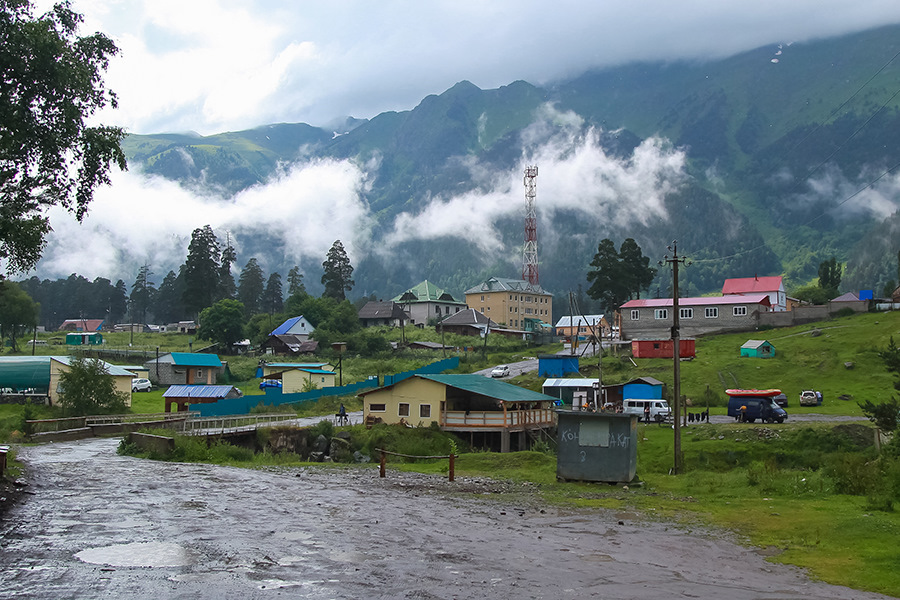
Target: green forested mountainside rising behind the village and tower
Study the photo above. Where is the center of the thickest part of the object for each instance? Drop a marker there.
(768, 162)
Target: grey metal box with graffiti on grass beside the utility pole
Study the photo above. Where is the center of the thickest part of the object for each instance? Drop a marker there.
(596, 446)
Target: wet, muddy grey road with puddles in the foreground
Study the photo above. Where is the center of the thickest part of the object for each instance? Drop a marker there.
(103, 526)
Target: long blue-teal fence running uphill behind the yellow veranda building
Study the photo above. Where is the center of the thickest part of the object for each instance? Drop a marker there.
(274, 396)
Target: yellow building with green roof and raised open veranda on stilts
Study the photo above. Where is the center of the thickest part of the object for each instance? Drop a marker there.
(471, 404)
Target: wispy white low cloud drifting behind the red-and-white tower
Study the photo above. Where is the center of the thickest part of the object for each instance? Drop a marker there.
(575, 174)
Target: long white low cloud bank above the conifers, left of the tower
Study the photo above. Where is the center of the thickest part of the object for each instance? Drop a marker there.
(144, 219)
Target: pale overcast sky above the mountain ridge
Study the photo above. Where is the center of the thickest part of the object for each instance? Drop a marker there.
(223, 65)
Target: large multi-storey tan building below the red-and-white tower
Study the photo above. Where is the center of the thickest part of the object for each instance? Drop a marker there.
(510, 302)
